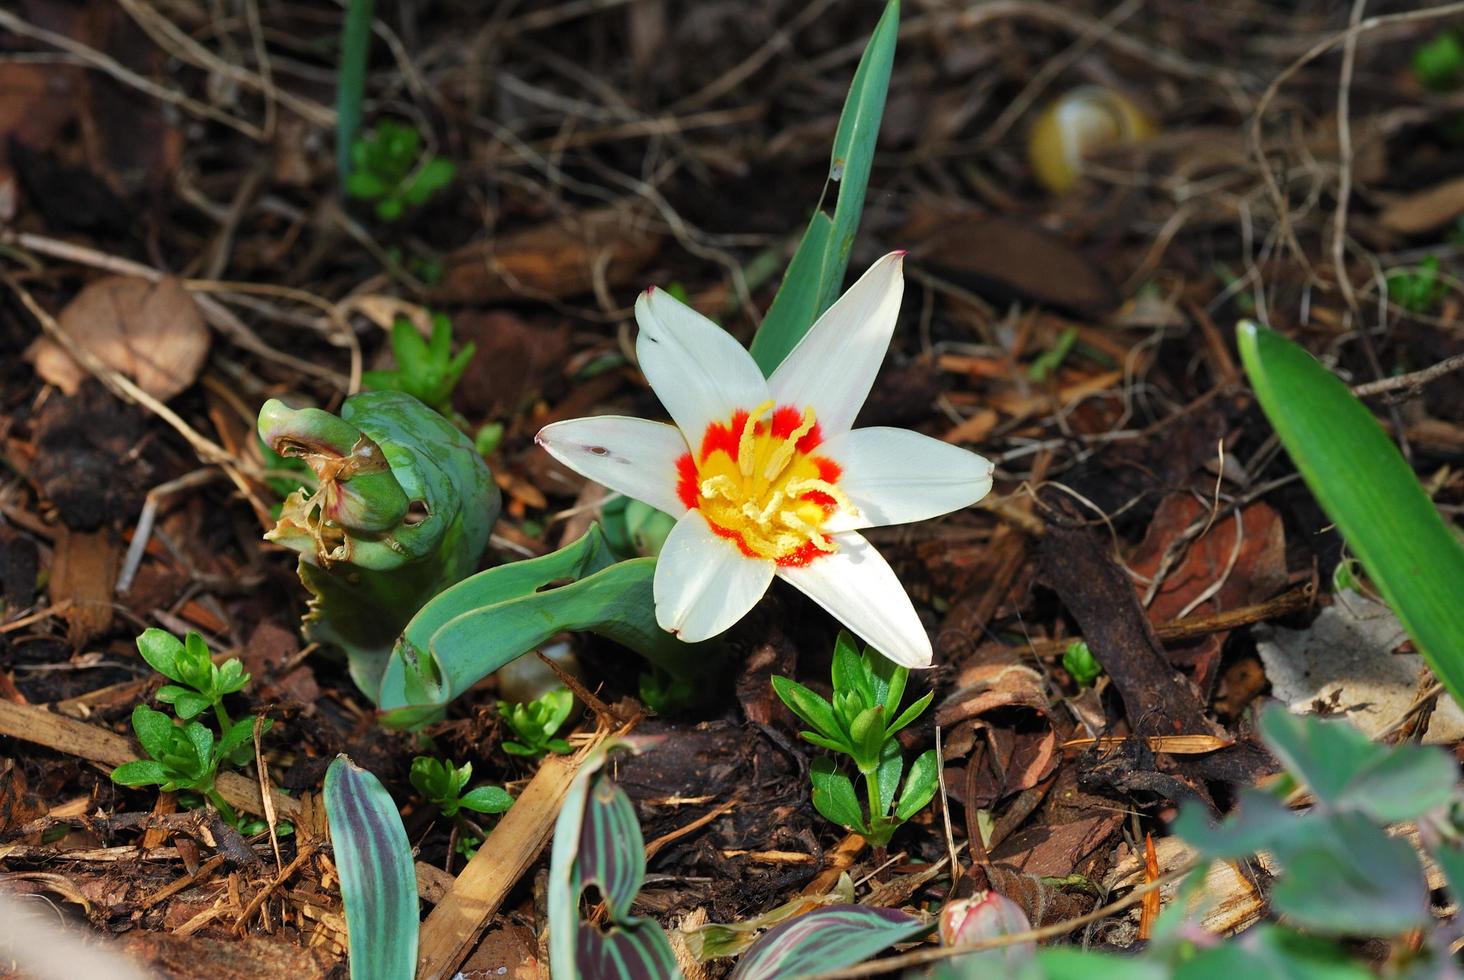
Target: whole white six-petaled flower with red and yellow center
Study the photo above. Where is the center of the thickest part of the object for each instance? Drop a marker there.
(766, 477)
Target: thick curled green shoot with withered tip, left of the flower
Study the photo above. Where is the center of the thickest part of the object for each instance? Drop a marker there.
(403, 512)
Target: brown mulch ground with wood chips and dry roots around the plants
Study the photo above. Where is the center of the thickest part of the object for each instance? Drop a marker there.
(169, 207)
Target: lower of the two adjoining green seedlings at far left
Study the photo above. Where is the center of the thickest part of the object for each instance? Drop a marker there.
(182, 758)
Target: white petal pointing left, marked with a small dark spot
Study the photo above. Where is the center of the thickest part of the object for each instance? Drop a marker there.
(632, 456)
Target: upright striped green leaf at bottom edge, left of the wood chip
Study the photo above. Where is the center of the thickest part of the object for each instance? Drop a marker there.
(378, 880)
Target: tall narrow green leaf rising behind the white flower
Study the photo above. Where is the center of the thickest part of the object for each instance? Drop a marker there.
(816, 275)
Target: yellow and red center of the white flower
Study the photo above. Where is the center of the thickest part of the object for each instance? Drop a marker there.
(761, 486)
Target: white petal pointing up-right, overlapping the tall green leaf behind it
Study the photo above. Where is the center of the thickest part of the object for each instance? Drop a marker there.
(834, 367)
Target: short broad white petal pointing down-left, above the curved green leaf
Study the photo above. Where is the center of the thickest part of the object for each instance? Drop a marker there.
(703, 584)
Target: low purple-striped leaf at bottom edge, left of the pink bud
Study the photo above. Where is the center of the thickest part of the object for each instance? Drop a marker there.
(828, 938)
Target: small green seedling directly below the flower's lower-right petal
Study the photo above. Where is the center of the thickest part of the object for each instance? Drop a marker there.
(867, 695)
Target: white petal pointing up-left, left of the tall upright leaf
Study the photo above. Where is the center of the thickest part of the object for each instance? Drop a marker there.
(698, 370)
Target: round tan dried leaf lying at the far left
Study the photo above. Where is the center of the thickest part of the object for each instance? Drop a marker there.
(149, 332)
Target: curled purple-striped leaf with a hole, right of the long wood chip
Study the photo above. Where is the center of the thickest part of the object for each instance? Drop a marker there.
(598, 842)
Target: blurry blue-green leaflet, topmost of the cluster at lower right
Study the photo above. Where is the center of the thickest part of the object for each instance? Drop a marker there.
(1348, 771)
